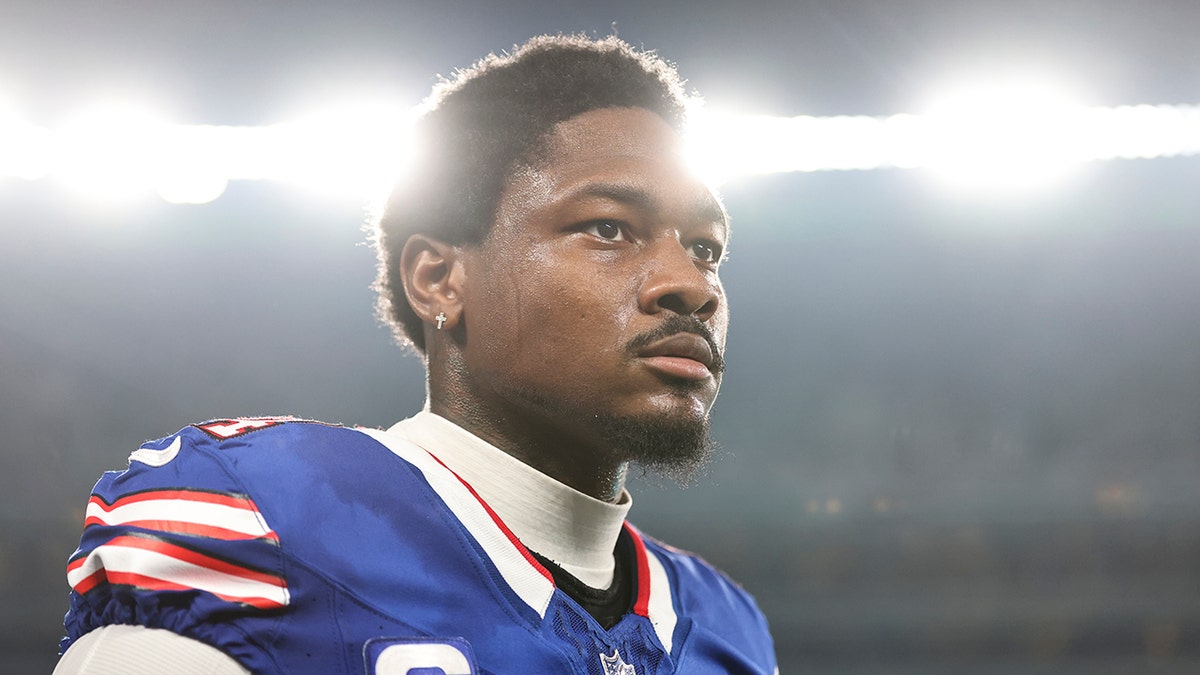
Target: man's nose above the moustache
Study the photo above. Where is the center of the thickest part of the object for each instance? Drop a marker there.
(675, 283)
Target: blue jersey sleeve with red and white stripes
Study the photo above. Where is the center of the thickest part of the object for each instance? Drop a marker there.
(175, 542)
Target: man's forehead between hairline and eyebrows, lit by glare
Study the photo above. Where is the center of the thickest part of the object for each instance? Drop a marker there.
(626, 154)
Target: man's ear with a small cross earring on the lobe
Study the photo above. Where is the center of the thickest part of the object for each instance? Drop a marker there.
(434, 277)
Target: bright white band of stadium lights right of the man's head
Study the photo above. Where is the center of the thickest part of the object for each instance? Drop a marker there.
(997, 139)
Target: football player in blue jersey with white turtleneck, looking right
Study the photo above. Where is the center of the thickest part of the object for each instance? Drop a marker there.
(557, 266)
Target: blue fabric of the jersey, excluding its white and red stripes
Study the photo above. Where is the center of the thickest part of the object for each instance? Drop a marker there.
(368, 549)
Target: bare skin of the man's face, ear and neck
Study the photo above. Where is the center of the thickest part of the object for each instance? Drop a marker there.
(561, 313)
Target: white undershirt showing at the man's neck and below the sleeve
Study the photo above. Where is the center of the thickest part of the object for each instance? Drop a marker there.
(577, 531)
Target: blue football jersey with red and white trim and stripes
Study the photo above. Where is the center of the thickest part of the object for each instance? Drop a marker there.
(298, 547)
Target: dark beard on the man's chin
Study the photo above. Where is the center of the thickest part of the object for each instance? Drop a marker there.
(670, 446)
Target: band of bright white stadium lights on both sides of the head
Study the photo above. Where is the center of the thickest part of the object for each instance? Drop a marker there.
(997, 138)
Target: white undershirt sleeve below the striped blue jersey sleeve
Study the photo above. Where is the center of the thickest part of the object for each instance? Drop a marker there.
(137, 650)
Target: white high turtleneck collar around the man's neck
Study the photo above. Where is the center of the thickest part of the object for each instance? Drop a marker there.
(577, 531)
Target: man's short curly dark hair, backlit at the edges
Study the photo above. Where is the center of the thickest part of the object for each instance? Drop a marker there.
(485, 123)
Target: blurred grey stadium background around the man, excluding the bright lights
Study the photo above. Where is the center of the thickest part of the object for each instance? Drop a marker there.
(961, 432)
